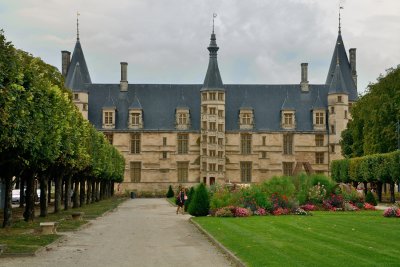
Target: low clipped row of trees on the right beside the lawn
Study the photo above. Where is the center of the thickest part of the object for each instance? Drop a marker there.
(378, 169)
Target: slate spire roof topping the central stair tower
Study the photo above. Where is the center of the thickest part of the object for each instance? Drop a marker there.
(213, 79)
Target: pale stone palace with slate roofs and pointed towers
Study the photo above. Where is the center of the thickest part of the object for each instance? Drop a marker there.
(213, 132)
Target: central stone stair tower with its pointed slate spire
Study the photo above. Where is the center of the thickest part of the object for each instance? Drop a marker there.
(213, 120)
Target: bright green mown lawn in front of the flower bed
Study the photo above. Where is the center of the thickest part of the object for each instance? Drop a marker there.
(364, 238)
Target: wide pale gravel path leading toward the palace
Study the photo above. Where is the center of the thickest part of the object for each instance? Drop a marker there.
(141, 232)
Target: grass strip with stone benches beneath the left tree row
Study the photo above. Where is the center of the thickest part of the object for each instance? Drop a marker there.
(25, 238)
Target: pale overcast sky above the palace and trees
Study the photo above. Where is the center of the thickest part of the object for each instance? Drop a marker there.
(164, 41)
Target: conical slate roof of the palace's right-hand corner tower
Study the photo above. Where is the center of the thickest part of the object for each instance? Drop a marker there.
(340, 55)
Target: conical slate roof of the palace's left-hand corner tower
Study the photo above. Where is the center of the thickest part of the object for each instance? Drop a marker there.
(78, 59)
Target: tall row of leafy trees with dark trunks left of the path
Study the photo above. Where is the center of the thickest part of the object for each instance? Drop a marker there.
(44, 137)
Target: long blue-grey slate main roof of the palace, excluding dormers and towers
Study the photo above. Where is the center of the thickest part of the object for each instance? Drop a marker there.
(159, 102)
